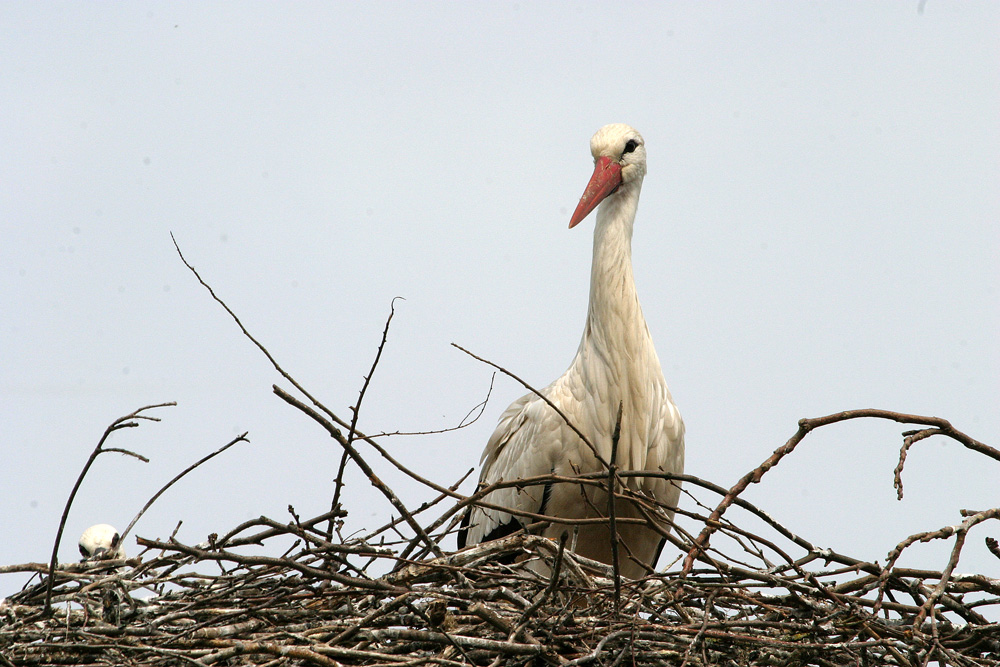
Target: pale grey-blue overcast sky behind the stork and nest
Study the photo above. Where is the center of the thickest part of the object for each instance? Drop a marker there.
(818, 231)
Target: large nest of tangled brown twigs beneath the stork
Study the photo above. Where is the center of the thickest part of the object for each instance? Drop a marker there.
(298, 593)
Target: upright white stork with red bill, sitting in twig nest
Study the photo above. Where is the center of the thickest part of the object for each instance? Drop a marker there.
(615, 363)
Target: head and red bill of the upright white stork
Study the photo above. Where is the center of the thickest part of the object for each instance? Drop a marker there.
(619, 160)
